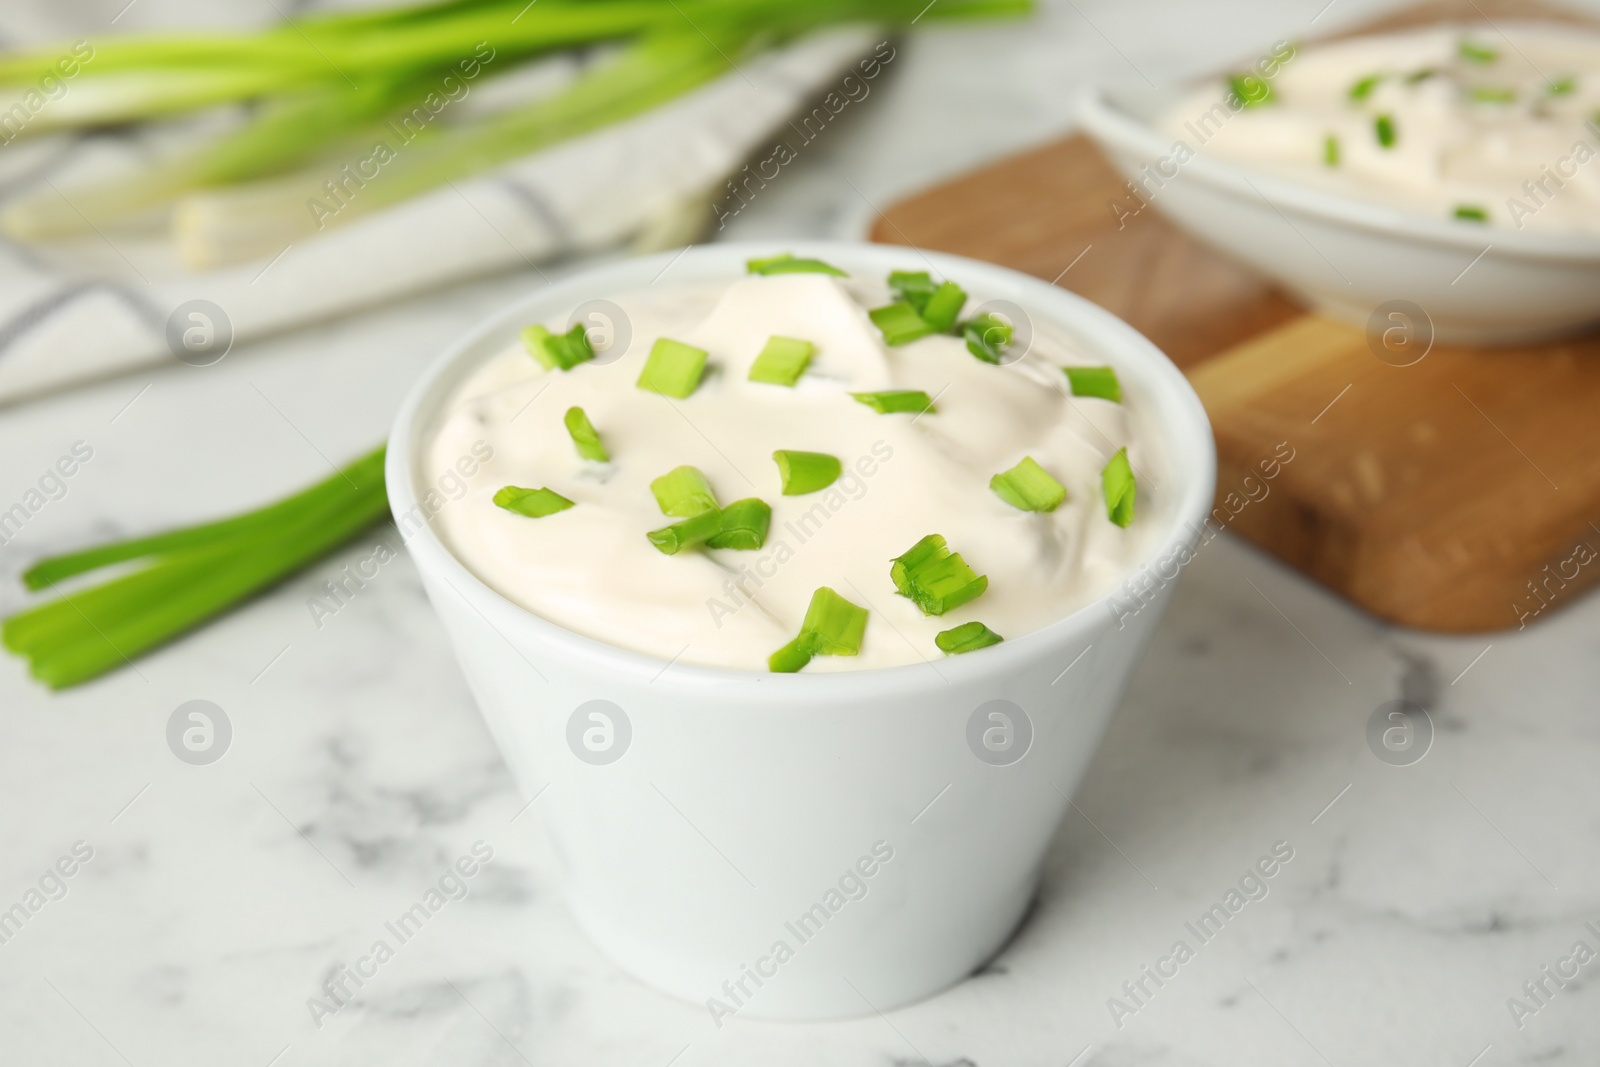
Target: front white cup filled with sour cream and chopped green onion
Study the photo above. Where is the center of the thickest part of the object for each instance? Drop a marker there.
(737, 609)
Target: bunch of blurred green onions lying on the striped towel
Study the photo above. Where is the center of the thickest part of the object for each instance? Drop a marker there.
(324, 90)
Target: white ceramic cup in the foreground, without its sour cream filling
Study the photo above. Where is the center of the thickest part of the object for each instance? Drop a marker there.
(737, 802)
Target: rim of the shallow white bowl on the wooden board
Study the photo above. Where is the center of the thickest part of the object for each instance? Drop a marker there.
(1114, 126)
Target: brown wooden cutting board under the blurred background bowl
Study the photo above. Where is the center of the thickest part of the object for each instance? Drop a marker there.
(1458, 494)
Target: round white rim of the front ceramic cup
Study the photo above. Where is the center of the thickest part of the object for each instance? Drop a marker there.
(1182, 417)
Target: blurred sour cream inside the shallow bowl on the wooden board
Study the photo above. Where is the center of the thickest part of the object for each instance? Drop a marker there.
(1450, 150)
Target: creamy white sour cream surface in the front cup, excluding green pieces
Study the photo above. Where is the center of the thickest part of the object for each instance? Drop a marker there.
(593, 570)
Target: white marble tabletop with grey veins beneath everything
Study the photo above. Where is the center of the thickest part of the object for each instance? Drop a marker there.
(218, 900)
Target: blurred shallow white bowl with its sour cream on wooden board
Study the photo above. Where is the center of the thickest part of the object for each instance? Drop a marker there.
(1362, 178)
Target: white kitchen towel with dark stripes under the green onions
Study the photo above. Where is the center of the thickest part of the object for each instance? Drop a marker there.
(103, 305)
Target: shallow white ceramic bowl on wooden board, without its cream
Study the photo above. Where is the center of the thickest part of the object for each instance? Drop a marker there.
(1350, 257)
